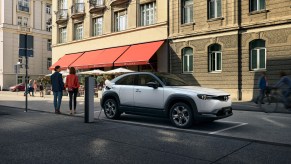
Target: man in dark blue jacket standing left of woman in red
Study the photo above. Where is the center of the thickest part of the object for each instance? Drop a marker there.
(57, 88)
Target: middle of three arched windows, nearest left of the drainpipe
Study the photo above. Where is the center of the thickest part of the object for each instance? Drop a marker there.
(215, 58)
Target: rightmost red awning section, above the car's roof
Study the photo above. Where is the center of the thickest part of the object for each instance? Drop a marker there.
(139, 54)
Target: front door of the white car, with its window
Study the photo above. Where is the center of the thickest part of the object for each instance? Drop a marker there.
(148, 97)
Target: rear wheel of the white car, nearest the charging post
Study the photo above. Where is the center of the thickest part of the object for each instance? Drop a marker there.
(111, 110)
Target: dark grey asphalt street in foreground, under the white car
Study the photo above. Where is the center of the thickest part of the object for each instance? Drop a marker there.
(246, 137)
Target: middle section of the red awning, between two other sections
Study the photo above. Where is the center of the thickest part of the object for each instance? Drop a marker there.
(99, 58)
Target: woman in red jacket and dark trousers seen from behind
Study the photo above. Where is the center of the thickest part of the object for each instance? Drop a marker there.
(72, 83)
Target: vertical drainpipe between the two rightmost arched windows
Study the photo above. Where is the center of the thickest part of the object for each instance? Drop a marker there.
(239, 44)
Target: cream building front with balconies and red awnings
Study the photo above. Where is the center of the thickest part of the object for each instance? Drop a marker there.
(90, 30)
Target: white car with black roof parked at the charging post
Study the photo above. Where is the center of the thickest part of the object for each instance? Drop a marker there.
(163, 95)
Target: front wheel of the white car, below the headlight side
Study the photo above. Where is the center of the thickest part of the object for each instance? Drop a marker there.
(181, 115)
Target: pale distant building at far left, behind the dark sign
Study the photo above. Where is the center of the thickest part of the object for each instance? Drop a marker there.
(29, 17)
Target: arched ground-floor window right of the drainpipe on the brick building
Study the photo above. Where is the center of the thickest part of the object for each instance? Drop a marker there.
(258, 54)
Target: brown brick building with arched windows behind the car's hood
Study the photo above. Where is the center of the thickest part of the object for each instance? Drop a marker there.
(225, 44)
